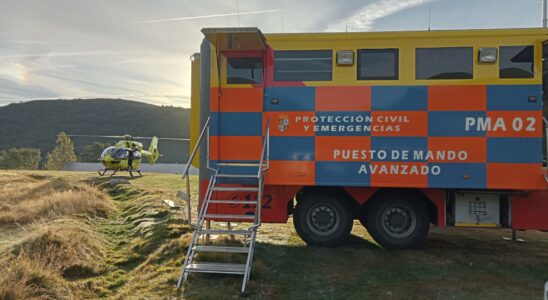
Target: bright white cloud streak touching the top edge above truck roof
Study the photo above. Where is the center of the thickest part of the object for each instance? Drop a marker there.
(363, 20)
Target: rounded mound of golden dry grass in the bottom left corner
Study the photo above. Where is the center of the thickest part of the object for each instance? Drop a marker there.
(47, 263)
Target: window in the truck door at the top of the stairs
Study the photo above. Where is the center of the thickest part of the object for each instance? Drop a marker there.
(244, 70)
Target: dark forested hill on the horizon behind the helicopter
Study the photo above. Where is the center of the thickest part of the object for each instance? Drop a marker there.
(37, 123)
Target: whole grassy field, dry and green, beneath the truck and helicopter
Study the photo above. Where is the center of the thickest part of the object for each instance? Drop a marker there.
(69, 235)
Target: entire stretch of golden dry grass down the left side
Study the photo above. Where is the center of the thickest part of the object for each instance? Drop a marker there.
(47, 240)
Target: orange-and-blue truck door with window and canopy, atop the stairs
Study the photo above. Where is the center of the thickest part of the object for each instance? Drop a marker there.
(236, 96)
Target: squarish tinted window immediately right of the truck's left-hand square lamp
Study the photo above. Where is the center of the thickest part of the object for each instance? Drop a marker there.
(377, 64)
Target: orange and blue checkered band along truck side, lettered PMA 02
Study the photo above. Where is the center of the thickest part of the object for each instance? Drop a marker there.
(480, 136)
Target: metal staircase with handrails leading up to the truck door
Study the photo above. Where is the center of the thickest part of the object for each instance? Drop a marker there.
(201, 241)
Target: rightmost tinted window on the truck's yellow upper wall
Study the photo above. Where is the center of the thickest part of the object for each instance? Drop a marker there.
(516, 62)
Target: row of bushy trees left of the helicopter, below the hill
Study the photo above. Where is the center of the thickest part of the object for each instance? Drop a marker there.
(31, 158)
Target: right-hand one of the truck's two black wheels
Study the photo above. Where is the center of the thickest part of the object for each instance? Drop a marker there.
(397, 222)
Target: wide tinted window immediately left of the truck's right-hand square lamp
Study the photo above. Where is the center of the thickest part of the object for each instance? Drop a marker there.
(444, 63)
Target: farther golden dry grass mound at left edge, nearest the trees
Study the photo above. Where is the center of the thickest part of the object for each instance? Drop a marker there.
(25, 200)
